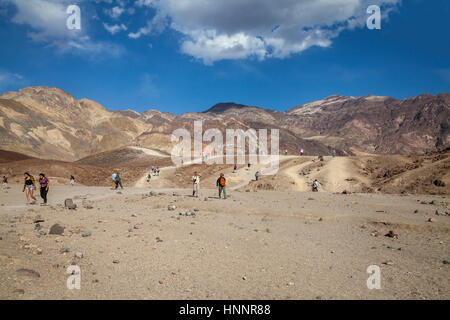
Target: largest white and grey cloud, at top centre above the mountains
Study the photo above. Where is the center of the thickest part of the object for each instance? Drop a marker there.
(236, 29)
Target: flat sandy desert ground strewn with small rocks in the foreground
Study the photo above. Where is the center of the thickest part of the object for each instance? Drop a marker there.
(254, 245)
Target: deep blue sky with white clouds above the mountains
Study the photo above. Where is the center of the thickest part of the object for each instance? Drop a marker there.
(179, 57)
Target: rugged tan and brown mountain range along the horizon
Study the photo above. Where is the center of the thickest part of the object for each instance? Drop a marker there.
(49, 123)
